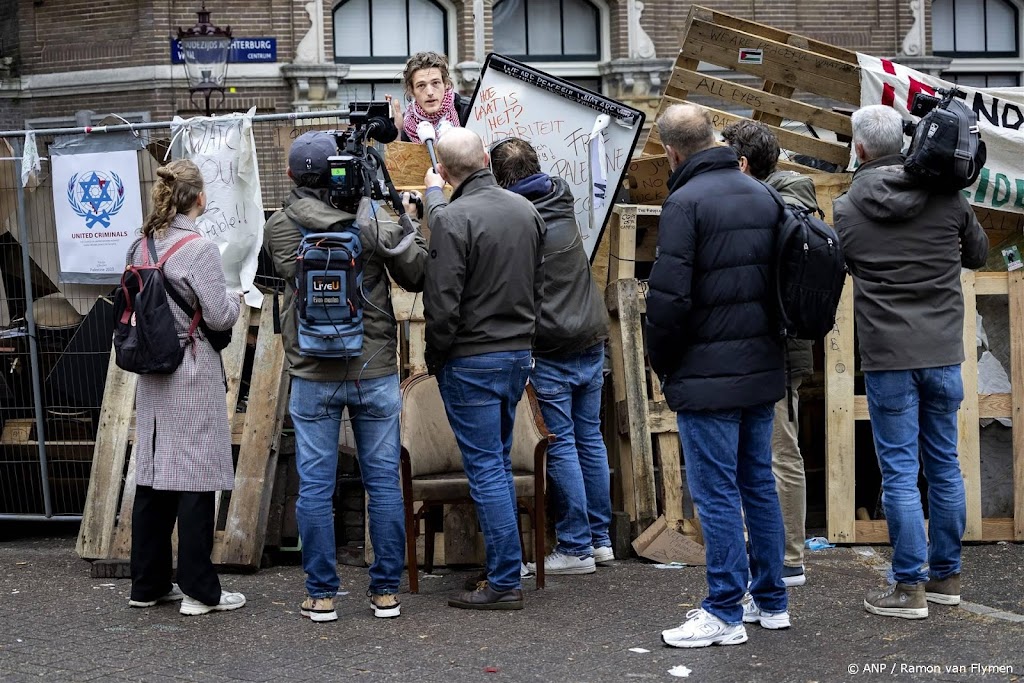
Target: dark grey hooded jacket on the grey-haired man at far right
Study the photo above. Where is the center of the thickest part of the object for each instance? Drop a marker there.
(906, 247)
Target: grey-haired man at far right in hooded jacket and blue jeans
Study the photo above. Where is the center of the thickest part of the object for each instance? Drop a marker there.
(906, 245)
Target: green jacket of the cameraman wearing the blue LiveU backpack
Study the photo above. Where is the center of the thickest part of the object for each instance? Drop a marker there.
(310, 208)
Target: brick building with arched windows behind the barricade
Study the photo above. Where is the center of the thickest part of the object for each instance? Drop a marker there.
(58, 58)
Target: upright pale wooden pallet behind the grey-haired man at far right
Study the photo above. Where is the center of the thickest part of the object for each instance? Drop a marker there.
(844, 408)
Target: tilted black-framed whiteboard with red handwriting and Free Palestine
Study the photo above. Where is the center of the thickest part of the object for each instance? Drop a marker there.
(560, 118)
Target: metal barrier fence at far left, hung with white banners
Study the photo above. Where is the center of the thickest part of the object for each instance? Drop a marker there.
(56, 337)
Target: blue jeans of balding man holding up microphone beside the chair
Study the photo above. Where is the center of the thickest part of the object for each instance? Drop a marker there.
(481, 395)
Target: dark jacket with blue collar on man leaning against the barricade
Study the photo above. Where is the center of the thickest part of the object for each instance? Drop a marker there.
(573, 315)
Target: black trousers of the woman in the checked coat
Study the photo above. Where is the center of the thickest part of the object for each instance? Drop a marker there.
(153, 521)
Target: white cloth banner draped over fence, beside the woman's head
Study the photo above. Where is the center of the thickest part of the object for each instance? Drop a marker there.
(225, 150)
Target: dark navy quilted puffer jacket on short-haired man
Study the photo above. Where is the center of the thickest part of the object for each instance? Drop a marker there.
(711, 330)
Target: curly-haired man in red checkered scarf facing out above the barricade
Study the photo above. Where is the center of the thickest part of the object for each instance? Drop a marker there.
(432, 98)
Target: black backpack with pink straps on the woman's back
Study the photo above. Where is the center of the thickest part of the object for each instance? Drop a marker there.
(146, 339)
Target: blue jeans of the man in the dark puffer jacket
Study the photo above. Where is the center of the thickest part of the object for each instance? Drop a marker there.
(729, 463)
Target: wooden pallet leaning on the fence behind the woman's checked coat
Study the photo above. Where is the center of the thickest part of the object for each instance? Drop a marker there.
(106, 531)
